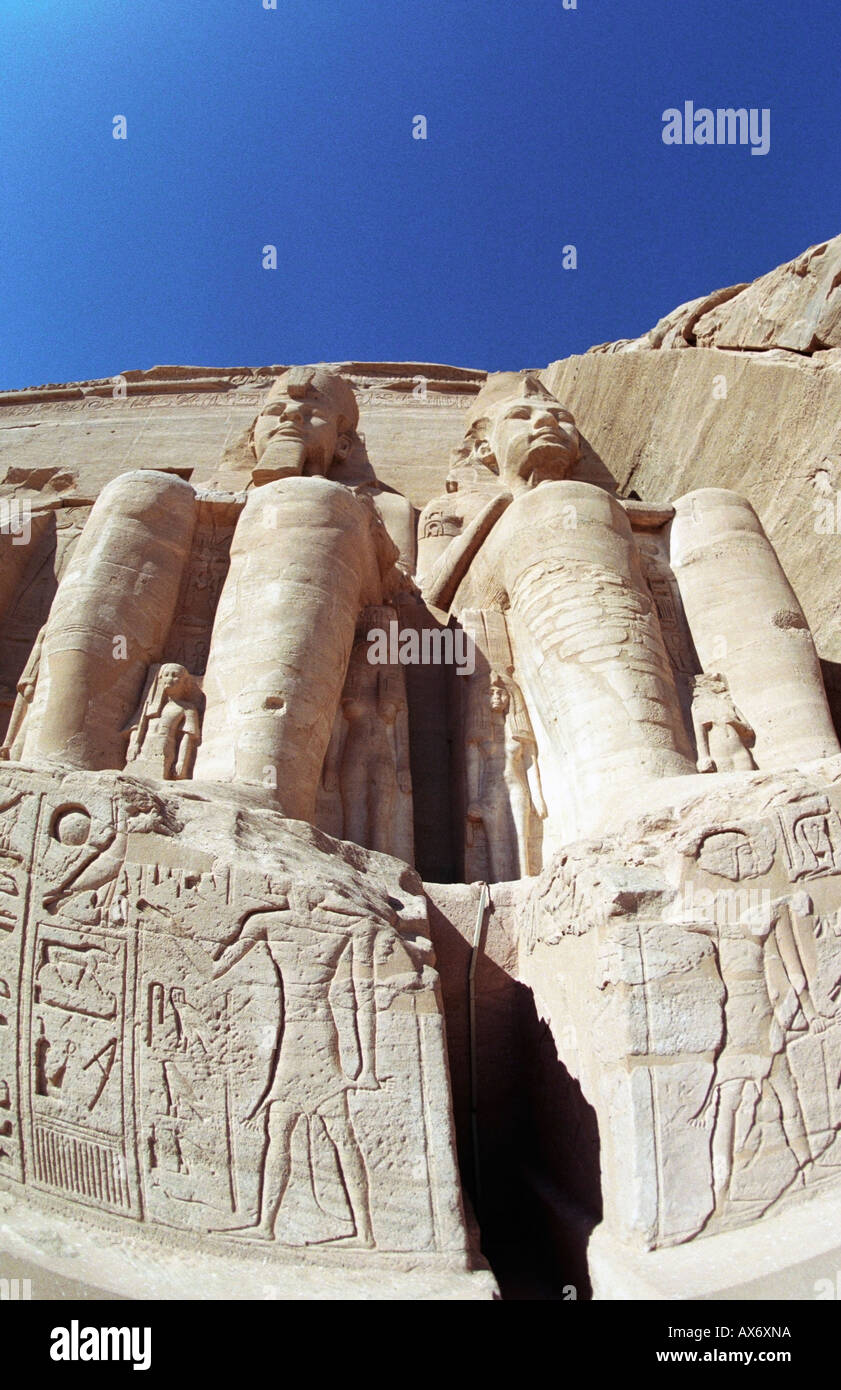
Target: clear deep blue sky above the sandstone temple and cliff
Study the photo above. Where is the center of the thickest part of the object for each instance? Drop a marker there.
(294, 127)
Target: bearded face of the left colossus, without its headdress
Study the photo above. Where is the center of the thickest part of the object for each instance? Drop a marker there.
(298, 436)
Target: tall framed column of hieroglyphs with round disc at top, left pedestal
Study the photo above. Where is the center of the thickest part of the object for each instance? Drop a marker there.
(76, 1025)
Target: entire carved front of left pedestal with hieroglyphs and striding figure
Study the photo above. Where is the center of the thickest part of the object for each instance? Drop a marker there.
(220, 1050)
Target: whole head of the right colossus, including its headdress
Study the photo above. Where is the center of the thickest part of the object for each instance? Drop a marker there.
(518, 433)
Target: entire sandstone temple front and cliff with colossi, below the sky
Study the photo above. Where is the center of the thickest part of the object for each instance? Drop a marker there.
(245, 1046)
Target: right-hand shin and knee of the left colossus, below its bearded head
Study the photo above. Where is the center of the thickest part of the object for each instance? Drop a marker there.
(308, 555)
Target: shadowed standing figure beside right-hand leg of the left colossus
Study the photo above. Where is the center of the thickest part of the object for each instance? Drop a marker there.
(368, 762)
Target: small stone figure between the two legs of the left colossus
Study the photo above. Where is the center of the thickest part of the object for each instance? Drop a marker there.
(166, 732)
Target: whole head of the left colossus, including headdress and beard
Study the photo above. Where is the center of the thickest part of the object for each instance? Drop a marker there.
(308, 425)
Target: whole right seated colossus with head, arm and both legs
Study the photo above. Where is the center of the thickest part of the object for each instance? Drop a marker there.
(561, 561)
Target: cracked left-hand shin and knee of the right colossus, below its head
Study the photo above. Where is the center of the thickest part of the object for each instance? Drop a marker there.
(589, 643)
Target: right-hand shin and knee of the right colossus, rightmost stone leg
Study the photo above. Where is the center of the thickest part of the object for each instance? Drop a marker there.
(749, 625)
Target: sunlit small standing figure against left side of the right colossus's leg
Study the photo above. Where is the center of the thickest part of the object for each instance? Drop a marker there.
(504, 787)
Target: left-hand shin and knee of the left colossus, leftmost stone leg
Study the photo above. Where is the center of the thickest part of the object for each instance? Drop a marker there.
(111, 619)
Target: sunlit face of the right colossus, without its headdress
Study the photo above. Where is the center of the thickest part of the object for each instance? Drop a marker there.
(533, 440)
